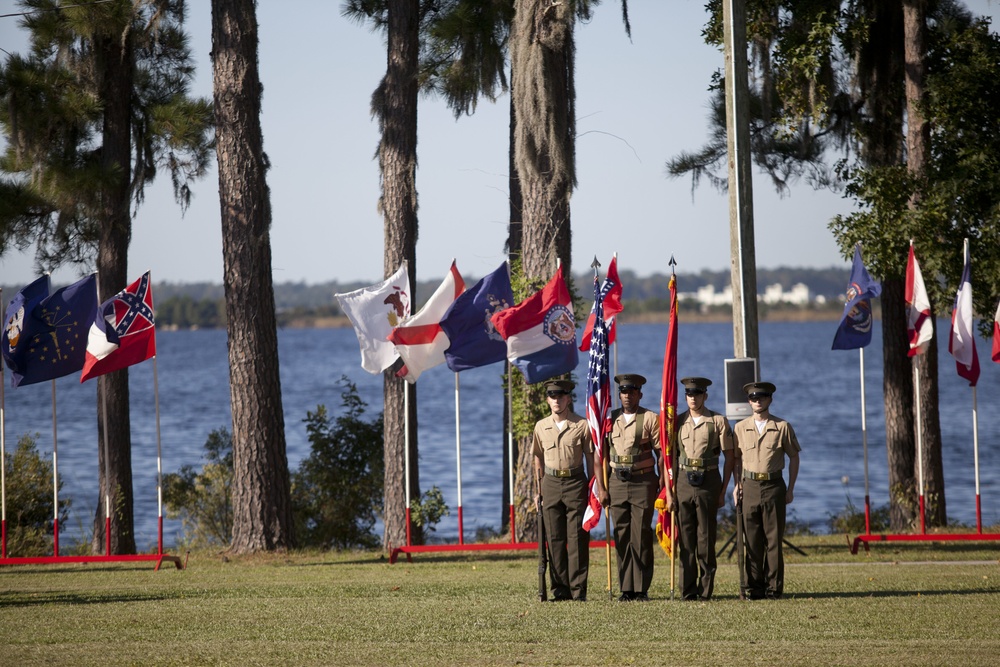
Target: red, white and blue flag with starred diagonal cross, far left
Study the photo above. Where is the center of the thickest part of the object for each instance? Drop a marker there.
(122, 333)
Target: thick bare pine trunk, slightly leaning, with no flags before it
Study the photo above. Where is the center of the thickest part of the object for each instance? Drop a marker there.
(262, 518)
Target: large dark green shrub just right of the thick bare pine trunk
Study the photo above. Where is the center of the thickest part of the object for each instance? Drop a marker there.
(337, 490)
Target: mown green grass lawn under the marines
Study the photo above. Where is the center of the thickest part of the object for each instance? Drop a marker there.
(924, 604)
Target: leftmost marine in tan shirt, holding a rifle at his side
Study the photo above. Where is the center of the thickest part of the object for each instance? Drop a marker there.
(561, 445)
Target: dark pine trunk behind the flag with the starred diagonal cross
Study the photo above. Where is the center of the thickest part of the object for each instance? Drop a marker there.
(115, 65)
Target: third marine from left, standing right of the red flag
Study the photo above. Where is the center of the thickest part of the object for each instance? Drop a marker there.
(702, 437)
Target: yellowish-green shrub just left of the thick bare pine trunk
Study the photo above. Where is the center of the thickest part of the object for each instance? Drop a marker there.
(203, 500)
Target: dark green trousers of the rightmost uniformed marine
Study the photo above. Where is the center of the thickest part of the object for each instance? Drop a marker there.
(764, 528)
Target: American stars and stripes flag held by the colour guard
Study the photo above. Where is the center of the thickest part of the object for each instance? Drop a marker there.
(598, 393)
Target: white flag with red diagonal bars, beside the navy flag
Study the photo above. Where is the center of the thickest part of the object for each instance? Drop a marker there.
(419, 340)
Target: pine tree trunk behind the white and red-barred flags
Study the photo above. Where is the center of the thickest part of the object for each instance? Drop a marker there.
(398, 164)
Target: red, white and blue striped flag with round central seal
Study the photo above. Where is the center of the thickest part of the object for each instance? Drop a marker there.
(541, 332)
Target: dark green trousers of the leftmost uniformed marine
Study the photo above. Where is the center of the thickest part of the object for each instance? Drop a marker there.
(564, 501)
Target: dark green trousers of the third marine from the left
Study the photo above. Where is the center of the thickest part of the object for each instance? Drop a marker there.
(697, 518)
